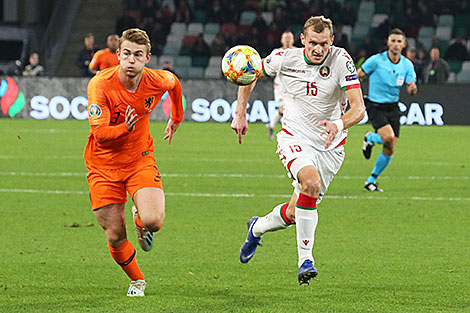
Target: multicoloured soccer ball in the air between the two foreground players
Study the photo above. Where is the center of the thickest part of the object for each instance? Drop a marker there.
(241, 65)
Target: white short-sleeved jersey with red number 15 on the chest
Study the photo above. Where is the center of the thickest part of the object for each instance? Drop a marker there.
(312, 93)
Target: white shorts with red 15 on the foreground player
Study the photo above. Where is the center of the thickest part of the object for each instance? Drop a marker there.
(296, 154)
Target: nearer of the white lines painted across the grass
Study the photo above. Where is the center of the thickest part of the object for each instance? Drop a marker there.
(242, 195)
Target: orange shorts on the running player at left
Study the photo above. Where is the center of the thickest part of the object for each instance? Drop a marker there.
(109, 186)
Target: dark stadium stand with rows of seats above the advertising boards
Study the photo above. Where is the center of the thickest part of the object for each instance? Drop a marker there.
(174, 26)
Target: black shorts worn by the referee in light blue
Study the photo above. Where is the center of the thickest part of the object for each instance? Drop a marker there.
(381, 114)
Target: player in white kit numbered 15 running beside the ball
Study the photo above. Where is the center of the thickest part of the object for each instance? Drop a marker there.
(317, 81)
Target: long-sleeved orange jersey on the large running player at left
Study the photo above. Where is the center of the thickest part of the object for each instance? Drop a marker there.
(110, 144)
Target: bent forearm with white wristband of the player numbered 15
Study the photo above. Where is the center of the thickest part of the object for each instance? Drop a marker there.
(353, 116)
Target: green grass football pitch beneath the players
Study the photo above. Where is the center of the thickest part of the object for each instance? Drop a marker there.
(404, 250)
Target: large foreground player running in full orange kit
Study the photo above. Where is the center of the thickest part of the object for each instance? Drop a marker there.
(119, 152)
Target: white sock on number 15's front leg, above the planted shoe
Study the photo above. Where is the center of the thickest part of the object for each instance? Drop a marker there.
(306, 221)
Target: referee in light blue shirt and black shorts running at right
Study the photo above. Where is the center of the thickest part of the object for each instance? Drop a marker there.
(388, 71)
